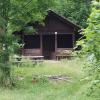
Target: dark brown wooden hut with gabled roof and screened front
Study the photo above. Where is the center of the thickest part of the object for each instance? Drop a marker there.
(56, 36)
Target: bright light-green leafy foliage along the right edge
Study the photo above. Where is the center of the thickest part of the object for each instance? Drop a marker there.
(91, 45)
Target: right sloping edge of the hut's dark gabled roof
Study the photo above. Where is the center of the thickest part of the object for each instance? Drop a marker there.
(63, 19)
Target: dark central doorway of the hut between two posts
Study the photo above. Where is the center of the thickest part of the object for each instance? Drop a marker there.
(48, 43)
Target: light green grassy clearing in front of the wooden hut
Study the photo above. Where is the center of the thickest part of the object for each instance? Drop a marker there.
(43, 89)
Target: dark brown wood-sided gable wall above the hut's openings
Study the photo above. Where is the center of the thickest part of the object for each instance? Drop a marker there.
(53, 24)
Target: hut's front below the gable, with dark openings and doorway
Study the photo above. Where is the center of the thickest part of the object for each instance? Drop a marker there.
(46, 45)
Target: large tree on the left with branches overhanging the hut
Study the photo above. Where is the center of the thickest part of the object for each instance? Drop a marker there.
(14, 14)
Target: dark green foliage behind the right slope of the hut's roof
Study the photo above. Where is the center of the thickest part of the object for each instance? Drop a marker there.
(75, 10)
